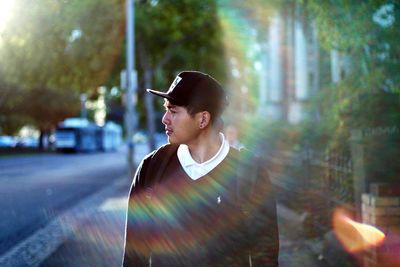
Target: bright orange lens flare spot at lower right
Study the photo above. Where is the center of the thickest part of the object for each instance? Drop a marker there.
(355, 236)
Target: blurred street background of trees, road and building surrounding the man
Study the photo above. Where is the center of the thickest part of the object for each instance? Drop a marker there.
(314, 91)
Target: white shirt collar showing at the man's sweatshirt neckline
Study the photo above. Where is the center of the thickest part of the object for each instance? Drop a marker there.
(196, 170)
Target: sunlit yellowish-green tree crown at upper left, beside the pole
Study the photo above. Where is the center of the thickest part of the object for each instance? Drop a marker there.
(52, 51)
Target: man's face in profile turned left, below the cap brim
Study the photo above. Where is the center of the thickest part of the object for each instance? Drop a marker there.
(180, 127)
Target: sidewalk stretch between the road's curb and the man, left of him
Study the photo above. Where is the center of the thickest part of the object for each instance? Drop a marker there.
(98, 240)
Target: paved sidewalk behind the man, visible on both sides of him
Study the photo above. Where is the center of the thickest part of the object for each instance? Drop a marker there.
(98, 240)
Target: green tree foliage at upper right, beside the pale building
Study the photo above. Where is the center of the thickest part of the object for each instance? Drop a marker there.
(368, 34)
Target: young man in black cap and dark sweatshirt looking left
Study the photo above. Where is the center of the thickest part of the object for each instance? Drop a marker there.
(197, 201)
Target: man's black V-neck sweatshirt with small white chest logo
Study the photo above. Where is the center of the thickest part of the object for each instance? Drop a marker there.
(216, 220)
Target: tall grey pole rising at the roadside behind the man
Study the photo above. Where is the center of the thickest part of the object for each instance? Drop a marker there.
(131, 78)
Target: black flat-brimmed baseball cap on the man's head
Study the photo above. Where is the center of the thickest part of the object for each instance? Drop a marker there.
(194, 88)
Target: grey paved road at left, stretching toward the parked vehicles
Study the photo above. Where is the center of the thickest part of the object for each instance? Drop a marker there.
(34, 189)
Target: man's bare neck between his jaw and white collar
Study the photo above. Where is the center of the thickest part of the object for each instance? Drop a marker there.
(206, 146)
